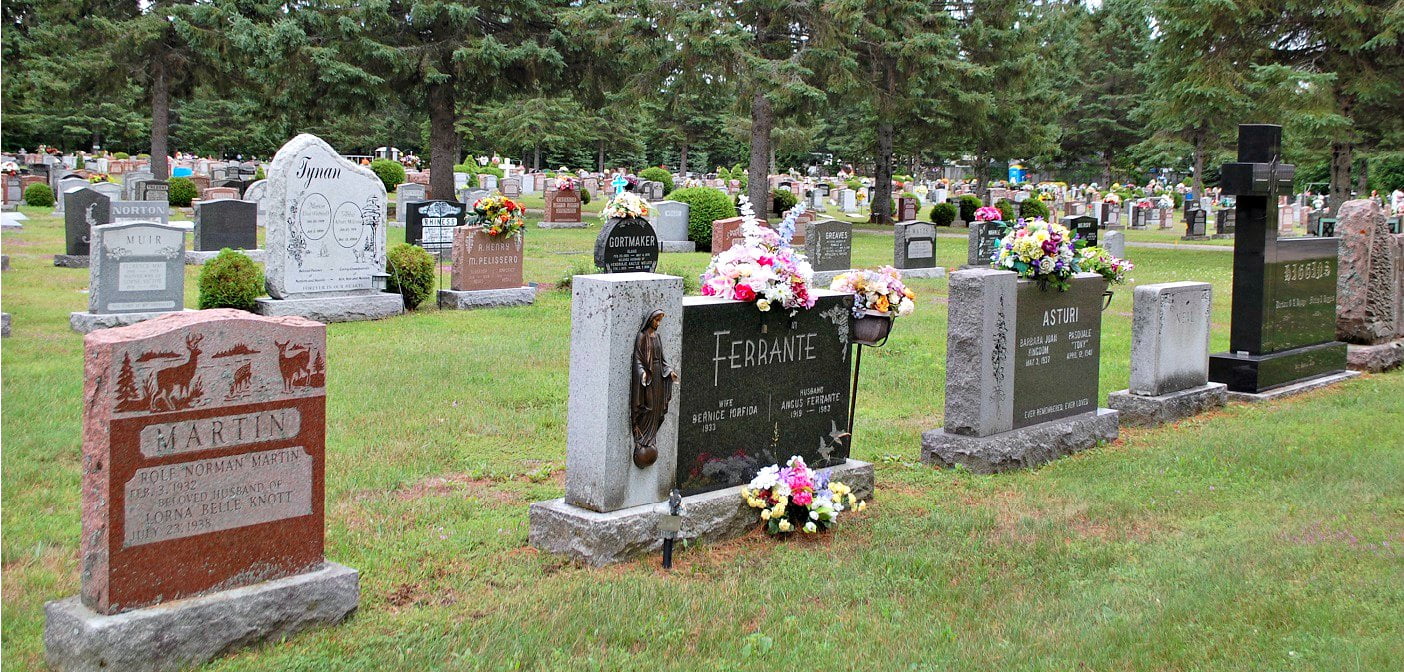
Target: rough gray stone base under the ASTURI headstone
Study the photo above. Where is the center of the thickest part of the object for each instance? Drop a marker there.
(1023, 448)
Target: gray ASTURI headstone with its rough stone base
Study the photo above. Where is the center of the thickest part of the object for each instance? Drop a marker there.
(1021, 372)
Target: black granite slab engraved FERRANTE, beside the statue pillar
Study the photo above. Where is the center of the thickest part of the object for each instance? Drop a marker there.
(760, 388)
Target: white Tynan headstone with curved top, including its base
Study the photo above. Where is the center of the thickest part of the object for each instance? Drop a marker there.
(326, 236)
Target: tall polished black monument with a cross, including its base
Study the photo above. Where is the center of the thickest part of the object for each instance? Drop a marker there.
(1284, 291)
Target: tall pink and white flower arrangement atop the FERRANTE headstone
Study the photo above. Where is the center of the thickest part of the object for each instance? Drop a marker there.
(762, 269)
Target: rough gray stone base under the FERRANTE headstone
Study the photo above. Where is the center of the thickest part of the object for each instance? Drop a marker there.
(600, 539)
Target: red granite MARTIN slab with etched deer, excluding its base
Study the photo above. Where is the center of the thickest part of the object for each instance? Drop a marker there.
(203, 455)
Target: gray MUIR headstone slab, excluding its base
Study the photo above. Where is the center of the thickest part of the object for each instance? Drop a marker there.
(137, 267)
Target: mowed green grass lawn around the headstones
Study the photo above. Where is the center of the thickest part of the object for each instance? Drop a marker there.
(1257, 538)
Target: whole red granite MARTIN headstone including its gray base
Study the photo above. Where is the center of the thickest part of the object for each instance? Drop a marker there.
(204, 469)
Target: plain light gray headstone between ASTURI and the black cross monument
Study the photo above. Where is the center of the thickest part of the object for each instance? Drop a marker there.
(1170, 356)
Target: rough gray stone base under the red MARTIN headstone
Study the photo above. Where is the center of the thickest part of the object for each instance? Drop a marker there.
(196, 631)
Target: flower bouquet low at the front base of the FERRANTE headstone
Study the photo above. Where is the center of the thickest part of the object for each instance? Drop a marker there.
(798, 499)
